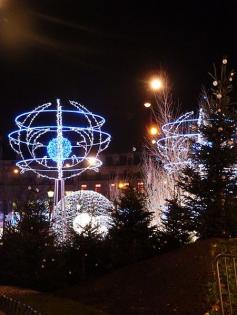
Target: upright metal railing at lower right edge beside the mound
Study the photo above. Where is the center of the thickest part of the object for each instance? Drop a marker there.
(226, 274)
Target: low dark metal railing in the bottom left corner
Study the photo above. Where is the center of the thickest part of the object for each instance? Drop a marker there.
(10, 306)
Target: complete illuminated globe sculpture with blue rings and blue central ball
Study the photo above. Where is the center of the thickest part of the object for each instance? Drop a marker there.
(59, 141)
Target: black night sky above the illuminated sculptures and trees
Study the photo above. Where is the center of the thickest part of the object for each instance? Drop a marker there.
(101, 54)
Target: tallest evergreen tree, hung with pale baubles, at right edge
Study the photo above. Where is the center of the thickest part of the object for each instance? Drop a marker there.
(210, 183)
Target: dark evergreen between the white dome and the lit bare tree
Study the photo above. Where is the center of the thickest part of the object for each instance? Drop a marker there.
(131, 234)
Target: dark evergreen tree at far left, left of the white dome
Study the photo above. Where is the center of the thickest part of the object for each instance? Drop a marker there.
(27, 245)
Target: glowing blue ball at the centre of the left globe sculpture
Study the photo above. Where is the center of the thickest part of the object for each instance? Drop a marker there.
(59, 152)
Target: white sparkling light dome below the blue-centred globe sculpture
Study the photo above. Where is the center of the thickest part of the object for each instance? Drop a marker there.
(83, 209)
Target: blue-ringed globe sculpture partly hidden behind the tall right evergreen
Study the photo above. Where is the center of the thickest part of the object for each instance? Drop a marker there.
(174, 146)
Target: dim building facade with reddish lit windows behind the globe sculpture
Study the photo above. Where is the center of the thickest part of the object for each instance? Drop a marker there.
(117, 172)
